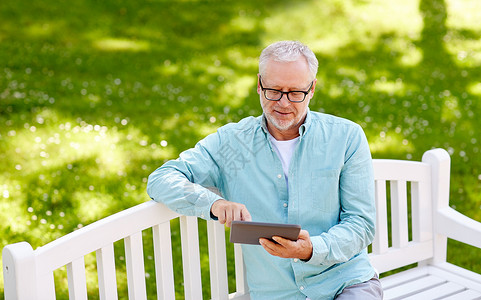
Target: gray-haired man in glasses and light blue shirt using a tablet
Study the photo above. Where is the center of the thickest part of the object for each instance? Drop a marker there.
(289, 165)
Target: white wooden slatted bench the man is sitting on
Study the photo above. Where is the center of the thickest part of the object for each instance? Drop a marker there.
(403, 188)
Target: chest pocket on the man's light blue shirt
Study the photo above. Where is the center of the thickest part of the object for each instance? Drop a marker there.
(325, 190)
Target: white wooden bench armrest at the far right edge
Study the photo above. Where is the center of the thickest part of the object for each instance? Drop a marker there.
(457, 226)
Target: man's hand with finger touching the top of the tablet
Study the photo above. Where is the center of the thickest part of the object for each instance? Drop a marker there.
(227, 212)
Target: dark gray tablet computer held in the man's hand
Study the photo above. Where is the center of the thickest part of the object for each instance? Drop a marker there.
(244, 232)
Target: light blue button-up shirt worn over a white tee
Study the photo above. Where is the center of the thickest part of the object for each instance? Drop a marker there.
(330, 194)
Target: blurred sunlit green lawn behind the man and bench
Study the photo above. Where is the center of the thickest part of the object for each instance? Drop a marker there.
(95, 95)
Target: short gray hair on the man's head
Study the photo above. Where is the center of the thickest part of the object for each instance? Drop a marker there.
(286, 51)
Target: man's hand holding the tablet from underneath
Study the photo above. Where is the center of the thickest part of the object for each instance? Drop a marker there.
(302, 248)
